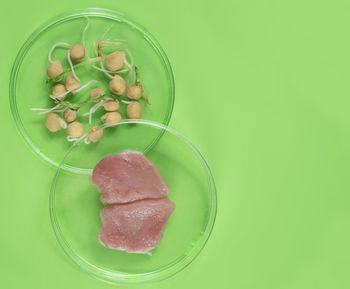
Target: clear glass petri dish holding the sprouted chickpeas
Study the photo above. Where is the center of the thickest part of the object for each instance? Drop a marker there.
(28, 87)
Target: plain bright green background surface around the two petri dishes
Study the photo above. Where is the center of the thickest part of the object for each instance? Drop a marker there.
(262, 90)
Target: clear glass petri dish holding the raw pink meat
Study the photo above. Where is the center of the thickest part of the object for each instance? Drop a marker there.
(75, 207)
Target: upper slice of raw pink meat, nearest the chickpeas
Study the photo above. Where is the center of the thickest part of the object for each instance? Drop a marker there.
(127, 177)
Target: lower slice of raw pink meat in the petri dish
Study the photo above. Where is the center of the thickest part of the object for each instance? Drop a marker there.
(135, 227)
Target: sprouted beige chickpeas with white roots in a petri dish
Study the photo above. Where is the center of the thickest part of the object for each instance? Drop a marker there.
(66, 83)
